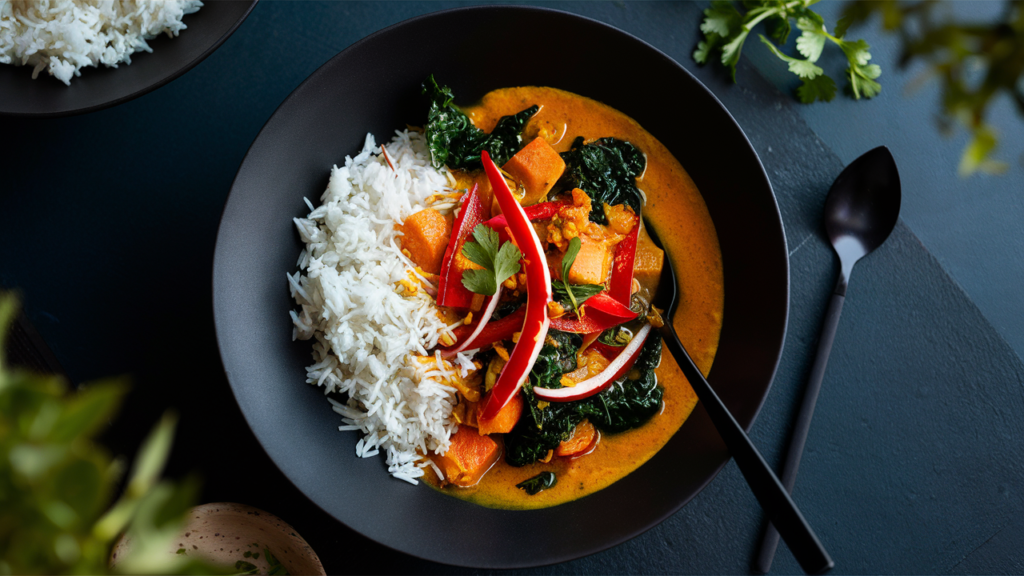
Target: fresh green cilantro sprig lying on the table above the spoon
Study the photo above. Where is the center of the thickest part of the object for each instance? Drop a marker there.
(727, 30)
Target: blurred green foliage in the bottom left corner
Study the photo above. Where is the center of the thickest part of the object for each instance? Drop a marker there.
(58, 484)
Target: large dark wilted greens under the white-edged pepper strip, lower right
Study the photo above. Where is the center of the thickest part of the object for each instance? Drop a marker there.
(628, 403)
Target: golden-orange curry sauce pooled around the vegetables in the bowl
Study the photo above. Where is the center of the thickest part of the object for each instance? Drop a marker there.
(678, 213)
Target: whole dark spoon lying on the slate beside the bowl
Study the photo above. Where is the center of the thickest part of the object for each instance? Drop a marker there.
(861, 213)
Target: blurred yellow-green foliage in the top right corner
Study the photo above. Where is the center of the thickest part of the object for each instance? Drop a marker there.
(974, 64)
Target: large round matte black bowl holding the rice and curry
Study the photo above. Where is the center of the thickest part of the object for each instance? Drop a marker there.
(373, 87)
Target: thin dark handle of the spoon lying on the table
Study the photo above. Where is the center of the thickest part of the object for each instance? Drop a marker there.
(767, 552)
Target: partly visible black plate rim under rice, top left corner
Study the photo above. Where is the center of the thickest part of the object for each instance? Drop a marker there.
(102, 88)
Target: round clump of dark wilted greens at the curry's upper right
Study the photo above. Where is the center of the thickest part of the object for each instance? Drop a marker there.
(607, 170)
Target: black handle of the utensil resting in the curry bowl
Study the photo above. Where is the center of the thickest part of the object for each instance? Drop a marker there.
(766, 487)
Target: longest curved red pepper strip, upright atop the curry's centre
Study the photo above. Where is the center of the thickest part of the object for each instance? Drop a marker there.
(535, 327)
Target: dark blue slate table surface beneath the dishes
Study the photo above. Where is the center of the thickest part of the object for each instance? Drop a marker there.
(914, 464)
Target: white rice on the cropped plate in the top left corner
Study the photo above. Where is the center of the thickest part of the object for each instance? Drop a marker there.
(64, 36)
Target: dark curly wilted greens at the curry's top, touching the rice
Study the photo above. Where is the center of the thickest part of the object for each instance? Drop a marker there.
(455, 142)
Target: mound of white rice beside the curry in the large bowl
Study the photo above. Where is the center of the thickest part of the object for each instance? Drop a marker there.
(367, 334)
